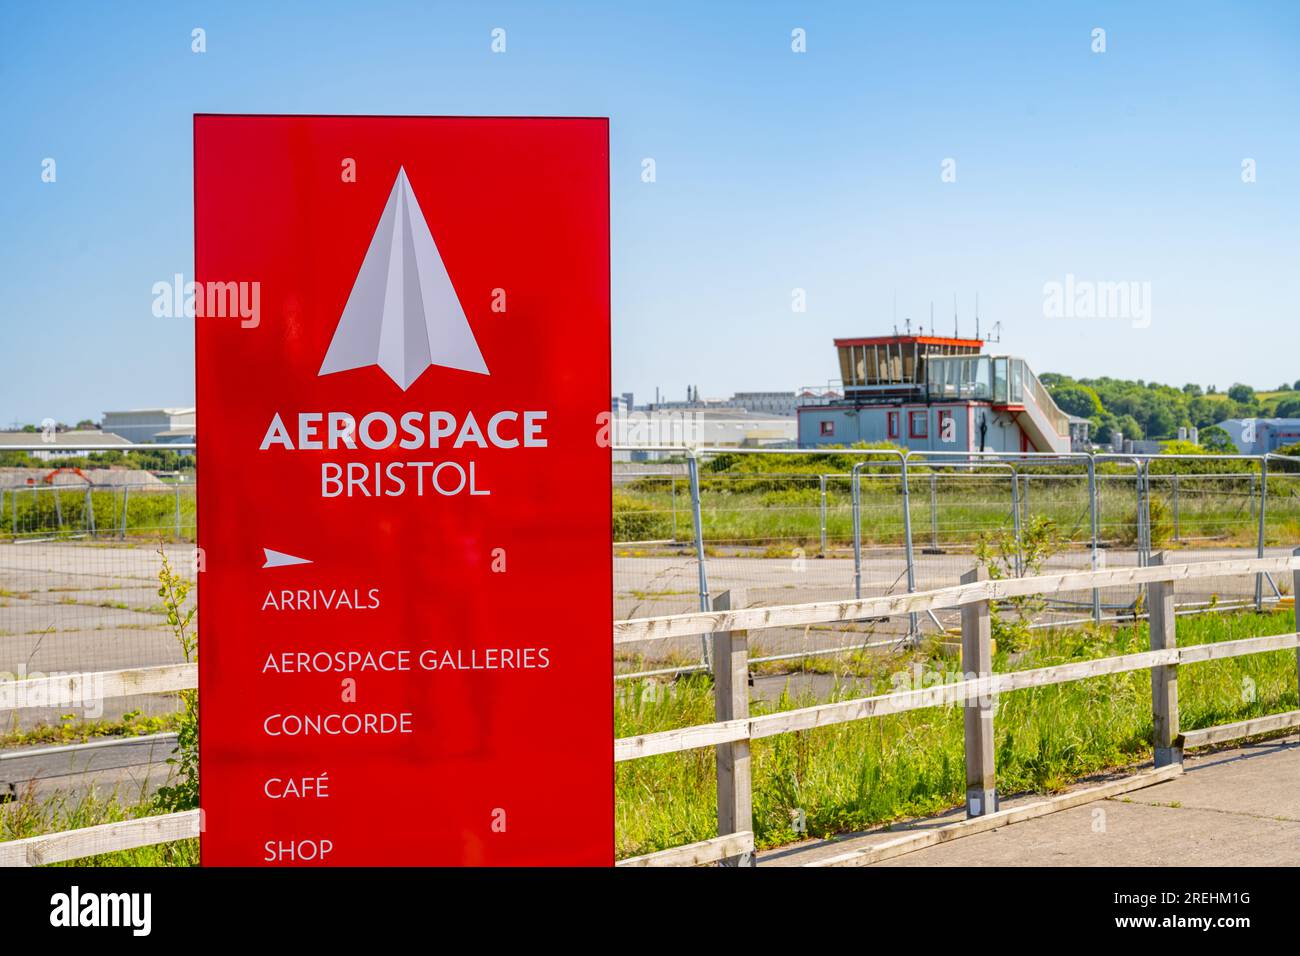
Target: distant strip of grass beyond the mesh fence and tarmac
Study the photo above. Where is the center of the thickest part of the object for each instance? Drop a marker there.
(759, 511)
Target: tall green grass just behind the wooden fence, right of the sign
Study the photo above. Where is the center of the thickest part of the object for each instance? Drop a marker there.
(855, 776)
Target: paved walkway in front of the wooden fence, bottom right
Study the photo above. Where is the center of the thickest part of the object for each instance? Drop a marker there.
(1236, 807)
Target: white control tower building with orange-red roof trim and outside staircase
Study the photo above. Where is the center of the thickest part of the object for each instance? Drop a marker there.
(935, 393)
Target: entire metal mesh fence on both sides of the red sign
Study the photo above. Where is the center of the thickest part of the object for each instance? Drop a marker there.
(79, 561)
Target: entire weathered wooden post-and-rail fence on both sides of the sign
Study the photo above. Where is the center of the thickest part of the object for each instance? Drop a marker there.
(734, 729)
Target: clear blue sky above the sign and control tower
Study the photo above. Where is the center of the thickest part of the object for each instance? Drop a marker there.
(775, 171)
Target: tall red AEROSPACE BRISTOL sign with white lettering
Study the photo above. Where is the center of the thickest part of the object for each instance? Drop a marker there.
(404, 343)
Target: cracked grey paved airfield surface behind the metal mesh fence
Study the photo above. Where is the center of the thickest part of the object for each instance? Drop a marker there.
(77, 607)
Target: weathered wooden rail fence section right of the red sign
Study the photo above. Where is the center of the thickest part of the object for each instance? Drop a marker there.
(734, 732)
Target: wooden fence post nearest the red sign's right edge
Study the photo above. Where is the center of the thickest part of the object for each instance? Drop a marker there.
(731, 703)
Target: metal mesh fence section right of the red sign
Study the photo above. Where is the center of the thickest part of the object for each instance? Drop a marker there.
(781, 530)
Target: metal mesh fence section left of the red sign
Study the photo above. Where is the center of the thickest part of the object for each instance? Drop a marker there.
(80, 586)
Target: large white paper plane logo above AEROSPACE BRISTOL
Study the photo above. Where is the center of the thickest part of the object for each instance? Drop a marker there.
(404, 314)
